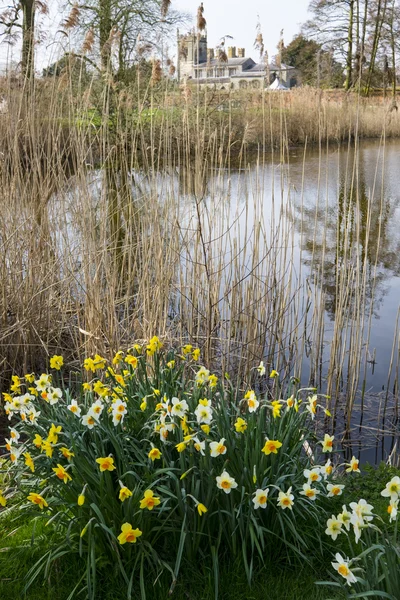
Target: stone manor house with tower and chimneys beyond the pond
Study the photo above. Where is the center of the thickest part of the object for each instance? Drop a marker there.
(200, 64)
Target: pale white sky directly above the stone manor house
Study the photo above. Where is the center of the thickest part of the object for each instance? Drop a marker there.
(238, 18)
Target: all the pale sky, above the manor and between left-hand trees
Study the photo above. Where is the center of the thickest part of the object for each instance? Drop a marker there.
(237, 18)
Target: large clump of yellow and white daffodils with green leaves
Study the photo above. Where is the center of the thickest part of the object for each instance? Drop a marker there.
(150, 458)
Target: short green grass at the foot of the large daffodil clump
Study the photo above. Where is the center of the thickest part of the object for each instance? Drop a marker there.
(274, 581)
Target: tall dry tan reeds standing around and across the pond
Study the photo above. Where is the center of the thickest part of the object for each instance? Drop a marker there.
(118, 221)
